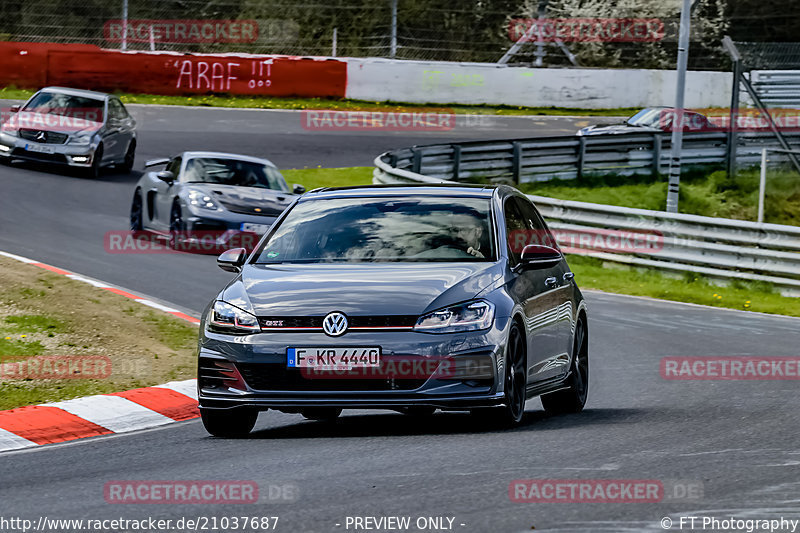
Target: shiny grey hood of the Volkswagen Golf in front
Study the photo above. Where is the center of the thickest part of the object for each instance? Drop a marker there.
(368, 289)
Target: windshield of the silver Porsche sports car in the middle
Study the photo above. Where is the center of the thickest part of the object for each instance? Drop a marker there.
(234, 172)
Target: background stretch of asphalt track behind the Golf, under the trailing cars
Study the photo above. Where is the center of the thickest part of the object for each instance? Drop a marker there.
(61, 219)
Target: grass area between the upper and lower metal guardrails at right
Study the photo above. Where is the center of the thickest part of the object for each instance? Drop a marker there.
(711, 195)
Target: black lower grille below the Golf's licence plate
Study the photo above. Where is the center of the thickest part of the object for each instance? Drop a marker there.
(277, 377)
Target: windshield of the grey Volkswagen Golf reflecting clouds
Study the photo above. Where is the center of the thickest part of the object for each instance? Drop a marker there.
(394, 229)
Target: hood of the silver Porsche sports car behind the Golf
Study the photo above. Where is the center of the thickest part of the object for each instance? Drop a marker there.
(249, 200)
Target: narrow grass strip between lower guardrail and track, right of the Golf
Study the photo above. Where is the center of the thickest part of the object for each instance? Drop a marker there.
(593, 273)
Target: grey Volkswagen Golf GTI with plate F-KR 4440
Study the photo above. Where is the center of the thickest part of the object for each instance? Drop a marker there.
(410, 298)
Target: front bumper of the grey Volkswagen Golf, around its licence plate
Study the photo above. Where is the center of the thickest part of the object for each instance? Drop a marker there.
(264, 381)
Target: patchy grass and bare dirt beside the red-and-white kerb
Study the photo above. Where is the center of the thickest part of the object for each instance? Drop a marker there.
(46, 315)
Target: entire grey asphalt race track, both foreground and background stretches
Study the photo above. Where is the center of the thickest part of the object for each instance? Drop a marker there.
(734, 440)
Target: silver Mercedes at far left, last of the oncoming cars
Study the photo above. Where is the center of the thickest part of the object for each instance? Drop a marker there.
(84, 129)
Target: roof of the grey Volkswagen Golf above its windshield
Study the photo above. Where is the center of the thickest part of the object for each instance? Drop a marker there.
(428, 189)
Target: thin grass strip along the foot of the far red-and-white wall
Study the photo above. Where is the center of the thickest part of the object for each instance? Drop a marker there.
(221, 100)
